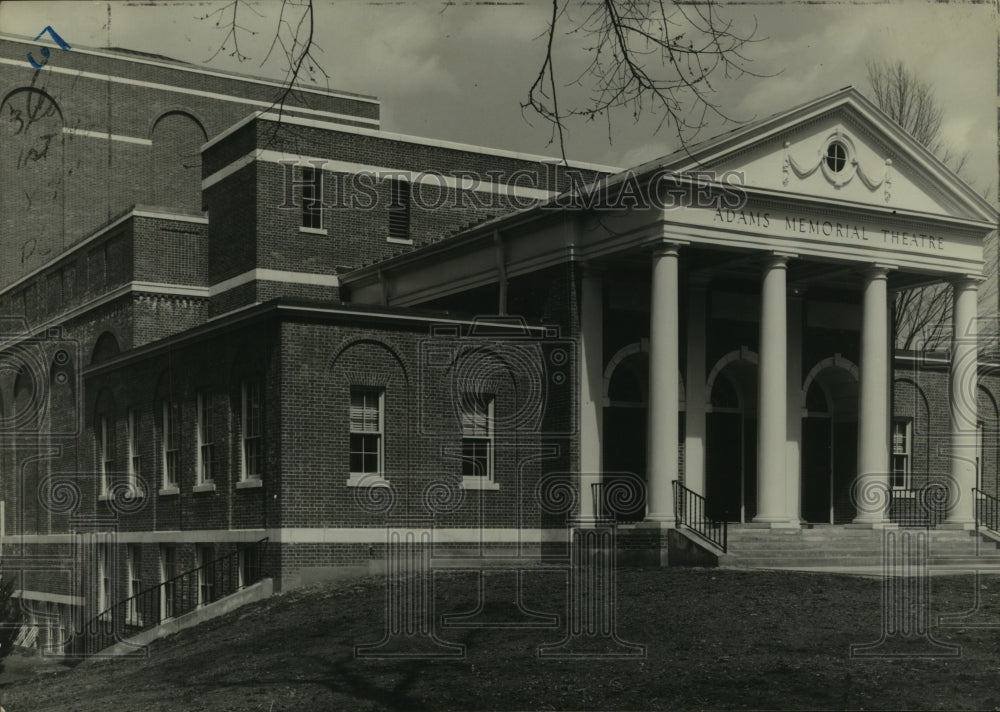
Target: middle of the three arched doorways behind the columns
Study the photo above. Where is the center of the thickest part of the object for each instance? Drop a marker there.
(731, 438)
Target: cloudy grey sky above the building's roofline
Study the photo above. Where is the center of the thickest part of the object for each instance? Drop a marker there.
(461, 71)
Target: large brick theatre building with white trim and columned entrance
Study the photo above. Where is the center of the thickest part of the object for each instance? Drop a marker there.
(227, 320)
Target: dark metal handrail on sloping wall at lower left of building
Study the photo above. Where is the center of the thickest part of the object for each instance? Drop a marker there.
(171, 598)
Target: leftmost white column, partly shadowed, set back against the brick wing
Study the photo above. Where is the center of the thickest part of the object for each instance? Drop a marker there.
(591, 385)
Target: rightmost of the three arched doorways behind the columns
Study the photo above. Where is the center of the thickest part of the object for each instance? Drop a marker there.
(829, 442)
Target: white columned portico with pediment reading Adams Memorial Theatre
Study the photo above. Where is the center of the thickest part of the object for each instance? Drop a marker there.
(732, 309)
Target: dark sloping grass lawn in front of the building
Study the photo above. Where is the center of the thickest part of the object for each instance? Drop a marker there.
(714, 639)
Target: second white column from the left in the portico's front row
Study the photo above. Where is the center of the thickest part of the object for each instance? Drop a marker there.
(772, 401)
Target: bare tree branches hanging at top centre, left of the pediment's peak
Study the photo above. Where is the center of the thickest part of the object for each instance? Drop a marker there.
(647, 56)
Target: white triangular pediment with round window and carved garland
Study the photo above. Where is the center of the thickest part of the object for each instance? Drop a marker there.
(839, 148)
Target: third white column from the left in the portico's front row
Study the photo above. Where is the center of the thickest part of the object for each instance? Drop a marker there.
(873, 402)
